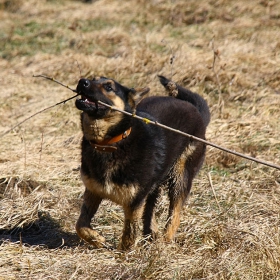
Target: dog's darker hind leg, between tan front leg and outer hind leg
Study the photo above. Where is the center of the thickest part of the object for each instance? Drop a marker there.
(149, 221)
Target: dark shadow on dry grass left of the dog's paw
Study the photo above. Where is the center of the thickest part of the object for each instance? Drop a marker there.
(45, 231)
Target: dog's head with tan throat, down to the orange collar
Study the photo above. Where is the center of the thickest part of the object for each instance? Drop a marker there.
(98, 121)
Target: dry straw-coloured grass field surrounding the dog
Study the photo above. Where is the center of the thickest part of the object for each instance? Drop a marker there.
(228, 51)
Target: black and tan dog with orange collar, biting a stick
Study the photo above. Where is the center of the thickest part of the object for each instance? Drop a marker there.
(126, 160)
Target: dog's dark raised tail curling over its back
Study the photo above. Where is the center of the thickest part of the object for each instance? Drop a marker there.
(185, 94)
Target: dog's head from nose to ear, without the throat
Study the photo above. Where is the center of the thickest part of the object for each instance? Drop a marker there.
(108, 91)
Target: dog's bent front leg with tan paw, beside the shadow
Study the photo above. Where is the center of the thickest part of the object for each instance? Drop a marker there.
(83, 228)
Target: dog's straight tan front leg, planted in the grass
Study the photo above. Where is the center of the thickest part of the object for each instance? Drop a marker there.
(131, 226)
